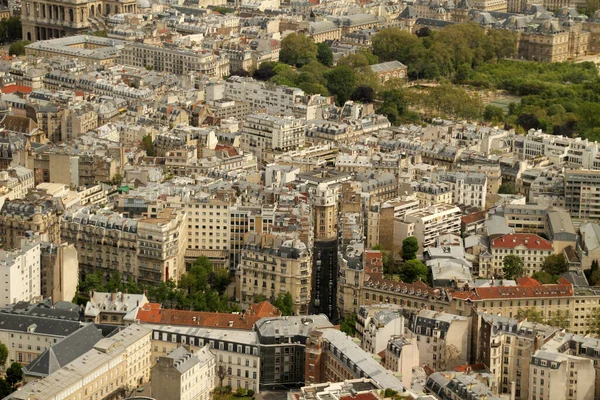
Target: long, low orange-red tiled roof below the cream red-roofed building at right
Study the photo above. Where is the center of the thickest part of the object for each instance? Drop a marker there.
(561, 289)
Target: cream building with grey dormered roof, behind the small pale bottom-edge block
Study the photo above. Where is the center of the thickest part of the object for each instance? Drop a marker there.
(235, 351)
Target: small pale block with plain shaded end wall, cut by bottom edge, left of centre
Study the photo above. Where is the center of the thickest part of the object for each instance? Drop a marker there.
(183, 375)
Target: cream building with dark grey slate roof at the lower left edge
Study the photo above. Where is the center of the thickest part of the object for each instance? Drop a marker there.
(26, 337)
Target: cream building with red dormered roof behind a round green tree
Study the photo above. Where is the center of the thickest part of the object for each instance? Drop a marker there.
(532, 249)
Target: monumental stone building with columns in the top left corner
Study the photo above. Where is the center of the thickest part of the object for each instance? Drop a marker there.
(44, 20)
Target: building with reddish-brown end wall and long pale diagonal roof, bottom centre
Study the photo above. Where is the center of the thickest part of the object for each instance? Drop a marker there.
(332, 356)
